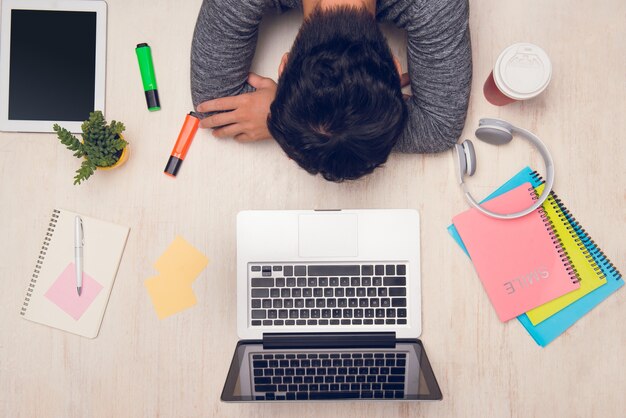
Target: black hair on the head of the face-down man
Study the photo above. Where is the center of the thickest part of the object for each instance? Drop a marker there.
(338, 109)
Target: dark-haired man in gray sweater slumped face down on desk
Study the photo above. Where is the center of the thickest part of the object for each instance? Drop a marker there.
(337, 109)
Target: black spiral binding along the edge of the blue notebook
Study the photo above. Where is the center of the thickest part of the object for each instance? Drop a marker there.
(590, 249)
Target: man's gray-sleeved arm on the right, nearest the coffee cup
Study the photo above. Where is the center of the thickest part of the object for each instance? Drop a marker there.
(440, 67)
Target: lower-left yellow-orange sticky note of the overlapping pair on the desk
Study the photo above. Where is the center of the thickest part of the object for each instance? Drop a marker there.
(169, 295)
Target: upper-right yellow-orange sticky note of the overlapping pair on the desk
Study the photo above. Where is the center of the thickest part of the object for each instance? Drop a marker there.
(181, 260)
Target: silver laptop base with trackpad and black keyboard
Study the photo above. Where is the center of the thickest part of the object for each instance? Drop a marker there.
(283, 254)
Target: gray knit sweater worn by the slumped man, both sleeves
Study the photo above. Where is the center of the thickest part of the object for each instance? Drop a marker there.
(438, 50)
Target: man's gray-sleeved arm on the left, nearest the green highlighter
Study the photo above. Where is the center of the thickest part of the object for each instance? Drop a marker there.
(223, 46)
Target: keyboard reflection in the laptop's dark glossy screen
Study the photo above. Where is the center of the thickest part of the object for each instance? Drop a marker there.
(334, 375)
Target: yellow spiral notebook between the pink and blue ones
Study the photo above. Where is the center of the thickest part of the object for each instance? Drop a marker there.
(588, 272)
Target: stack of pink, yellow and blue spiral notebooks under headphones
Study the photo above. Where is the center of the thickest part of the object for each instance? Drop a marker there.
(542, 268)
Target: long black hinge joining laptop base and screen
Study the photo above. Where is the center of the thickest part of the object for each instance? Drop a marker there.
(329, 340)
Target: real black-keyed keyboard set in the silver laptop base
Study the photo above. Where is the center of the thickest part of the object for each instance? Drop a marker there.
(297, 294)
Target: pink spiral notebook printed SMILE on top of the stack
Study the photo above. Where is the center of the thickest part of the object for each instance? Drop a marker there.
(519, 262)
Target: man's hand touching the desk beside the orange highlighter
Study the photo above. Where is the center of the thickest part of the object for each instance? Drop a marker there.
(245, 116)
